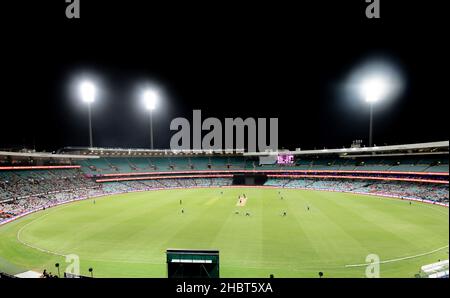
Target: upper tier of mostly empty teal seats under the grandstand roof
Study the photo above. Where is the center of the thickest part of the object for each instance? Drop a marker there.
(112, 165)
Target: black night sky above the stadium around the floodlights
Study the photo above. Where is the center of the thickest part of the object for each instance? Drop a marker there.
(227, 59)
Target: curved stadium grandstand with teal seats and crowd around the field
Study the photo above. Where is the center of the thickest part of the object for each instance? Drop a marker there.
(31, 181)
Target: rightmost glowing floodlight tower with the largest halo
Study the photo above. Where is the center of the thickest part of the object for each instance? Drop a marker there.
(373, 89)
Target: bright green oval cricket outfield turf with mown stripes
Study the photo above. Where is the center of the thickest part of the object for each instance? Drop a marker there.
(127, 235)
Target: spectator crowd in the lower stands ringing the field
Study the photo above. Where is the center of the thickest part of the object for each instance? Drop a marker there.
(26, 191)
